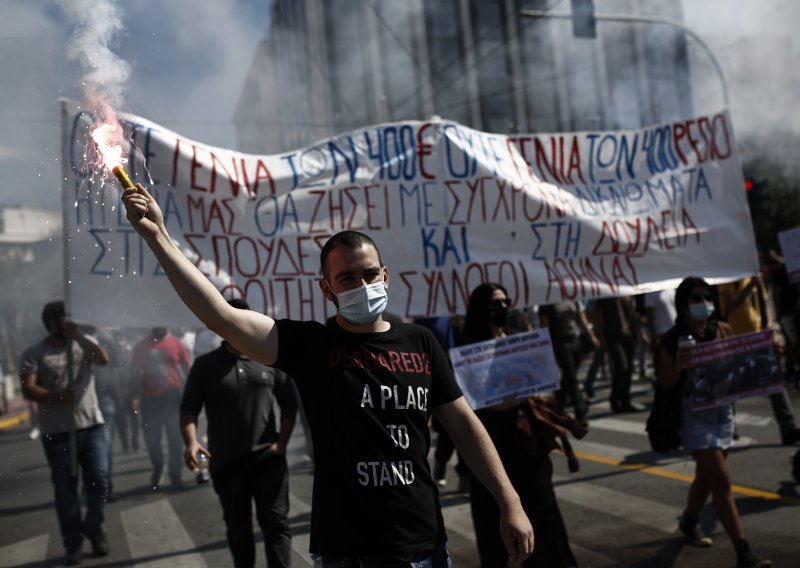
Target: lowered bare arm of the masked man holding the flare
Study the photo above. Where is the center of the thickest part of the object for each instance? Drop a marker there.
(477, 449)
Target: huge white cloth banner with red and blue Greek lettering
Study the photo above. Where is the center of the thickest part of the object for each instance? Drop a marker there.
(551, 217)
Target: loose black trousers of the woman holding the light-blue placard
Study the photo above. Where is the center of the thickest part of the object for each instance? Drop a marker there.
(532, 477)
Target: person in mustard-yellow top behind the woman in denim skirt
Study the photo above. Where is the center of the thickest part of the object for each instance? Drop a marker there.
(745, 307)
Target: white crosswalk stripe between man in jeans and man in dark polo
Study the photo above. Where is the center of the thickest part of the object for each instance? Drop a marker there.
(157, 538)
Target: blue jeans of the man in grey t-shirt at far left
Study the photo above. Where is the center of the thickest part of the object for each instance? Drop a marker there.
(93, 462)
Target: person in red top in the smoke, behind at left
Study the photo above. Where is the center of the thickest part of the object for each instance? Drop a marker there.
(160, 363)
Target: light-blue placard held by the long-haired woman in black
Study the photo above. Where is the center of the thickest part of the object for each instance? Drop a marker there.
(516, 366)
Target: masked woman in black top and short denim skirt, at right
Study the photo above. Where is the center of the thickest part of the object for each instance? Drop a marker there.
(706, 434)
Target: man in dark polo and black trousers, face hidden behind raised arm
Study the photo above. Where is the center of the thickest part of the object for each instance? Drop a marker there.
(247, 450)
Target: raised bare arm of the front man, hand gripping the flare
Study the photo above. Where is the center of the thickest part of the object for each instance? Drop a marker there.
(251, 333)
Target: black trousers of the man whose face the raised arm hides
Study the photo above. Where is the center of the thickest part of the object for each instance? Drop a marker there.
(264, 479)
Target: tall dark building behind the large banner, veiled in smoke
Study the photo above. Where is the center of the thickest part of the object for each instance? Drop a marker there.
(329, 66)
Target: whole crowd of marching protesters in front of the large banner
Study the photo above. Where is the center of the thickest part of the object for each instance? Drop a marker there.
(375, 499)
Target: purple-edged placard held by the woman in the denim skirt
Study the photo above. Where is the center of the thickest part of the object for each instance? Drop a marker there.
(727, 370)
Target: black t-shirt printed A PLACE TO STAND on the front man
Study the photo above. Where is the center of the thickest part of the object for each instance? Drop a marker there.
(368, 397)
